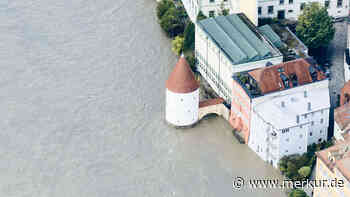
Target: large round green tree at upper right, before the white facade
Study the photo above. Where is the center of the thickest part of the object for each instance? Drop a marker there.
(315, 27)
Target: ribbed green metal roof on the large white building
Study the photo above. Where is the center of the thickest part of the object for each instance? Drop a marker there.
(235, 38)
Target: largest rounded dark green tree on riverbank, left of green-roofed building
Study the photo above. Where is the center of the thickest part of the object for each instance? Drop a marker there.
(172, 22)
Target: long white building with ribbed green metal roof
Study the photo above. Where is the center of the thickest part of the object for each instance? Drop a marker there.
(229, 44)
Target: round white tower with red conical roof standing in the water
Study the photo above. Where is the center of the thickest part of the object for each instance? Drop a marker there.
(182, 95)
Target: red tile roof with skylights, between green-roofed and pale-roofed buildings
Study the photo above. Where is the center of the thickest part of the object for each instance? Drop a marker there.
(269, 80)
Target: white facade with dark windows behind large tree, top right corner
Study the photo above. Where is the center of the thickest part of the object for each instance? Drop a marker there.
(291, 9)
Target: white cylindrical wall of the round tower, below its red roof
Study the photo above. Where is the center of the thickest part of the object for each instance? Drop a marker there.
(182, 109)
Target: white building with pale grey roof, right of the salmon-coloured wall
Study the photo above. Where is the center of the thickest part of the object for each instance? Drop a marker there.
(286, 122)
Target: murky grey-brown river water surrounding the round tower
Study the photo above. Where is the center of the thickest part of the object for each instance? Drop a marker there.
(82, 92)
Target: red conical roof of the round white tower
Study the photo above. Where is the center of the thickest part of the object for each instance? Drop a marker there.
(181, 79)
